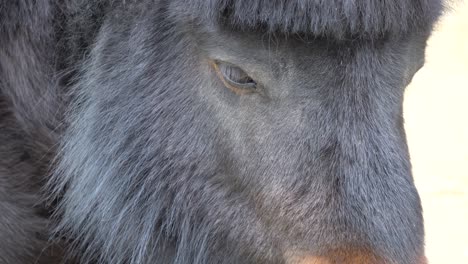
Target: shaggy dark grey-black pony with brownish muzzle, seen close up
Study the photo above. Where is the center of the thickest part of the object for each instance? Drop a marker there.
(208, 131)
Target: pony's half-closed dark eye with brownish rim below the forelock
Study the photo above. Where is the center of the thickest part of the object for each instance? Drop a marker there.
(234, 78)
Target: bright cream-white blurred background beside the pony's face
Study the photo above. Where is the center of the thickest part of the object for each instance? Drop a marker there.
(436, 114)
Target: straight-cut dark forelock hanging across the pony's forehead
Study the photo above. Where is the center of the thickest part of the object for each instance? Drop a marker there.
(337, 18)
